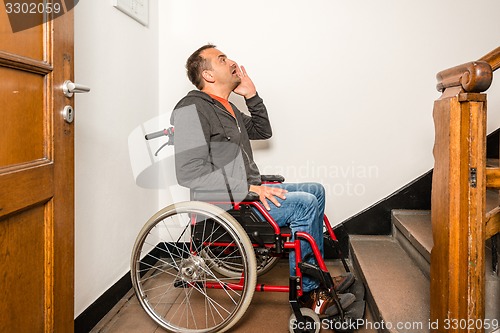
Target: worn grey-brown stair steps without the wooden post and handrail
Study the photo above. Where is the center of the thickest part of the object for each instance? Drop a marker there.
(396, 271)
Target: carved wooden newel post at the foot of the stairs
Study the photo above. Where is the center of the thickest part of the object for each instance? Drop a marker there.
(458, 199)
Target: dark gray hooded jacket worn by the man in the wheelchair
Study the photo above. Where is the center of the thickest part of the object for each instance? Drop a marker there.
(212, 148)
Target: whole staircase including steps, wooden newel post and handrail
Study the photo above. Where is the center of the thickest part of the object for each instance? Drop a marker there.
(434, 272)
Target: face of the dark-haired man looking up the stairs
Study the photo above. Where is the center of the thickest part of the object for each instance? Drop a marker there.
(224, 70)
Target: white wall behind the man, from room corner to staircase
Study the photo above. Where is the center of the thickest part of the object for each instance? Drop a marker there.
(349, 85)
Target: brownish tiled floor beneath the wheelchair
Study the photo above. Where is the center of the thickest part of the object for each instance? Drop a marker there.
(268, 312)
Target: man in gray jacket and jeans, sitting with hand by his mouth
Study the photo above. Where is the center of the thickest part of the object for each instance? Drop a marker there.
(220, 159)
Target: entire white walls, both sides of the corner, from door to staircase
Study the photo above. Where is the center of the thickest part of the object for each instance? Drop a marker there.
(349, 86)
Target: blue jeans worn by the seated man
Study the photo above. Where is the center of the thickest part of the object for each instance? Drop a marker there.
(302, 210)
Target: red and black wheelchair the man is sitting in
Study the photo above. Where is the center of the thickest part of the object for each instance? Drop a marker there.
(194, 265)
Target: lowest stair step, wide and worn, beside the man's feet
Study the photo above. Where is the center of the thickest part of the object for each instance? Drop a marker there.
(397, 290)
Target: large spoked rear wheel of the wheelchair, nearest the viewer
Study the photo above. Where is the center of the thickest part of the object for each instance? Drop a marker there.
(176, 284)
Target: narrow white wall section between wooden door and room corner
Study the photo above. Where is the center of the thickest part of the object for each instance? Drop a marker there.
(118, 58)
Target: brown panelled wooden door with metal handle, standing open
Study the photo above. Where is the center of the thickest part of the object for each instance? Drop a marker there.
(36, 176)
